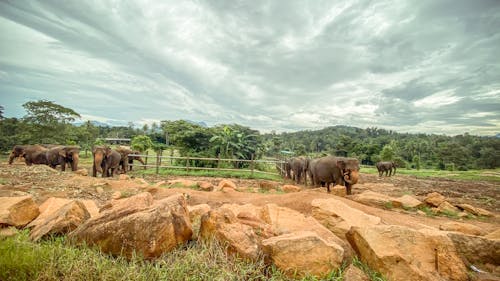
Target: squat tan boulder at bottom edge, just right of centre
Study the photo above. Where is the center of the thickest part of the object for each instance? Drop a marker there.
(303, 253)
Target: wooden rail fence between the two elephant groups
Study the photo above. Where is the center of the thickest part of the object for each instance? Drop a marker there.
(160, 160)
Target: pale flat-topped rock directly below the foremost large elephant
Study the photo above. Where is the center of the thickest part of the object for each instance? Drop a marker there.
(338, 217)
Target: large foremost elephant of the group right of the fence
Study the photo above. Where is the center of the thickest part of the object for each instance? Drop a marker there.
(335, 170)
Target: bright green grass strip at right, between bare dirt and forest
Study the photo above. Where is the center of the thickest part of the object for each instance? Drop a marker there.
(492, 175)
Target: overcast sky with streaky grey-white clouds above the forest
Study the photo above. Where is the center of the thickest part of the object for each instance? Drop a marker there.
(429, 66)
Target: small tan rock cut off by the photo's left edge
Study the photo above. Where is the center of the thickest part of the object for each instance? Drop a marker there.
(17, 211)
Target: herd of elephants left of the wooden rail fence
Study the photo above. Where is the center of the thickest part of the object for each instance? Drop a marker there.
(106, 160)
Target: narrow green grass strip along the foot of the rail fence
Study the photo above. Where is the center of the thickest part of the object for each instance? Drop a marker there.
(206, 173)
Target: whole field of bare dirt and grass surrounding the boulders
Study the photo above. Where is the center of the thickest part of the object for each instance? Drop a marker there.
(55, 260)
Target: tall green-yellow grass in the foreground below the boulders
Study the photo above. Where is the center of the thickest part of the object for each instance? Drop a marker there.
(56, 259)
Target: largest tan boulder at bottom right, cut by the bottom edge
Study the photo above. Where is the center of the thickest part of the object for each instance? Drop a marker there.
(402, 253)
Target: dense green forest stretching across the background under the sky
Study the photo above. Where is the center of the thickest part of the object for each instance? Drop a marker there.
(46, 122)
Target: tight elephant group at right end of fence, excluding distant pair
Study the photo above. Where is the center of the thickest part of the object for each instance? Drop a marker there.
(324, 171)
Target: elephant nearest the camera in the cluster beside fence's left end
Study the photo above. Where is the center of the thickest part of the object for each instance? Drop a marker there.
(106, 161)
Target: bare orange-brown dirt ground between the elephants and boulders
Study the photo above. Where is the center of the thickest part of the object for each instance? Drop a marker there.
(43, 182)
